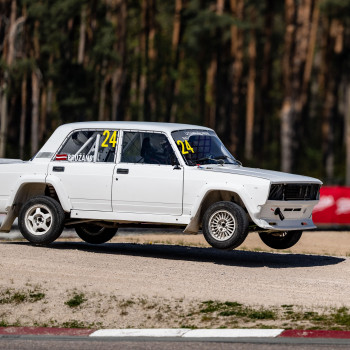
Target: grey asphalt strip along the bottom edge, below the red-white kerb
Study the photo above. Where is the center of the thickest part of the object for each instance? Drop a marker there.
(31, 342)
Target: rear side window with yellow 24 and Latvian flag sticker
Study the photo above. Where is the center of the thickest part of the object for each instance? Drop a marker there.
(89, 146)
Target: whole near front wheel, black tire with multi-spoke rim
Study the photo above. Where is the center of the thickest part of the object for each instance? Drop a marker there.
(225, 225)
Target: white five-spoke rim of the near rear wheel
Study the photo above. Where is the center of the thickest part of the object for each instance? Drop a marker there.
(38, 219)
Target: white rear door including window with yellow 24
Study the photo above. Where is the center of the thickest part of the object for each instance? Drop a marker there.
(84, 165)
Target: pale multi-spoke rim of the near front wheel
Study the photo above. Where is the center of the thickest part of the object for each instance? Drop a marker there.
(222, 225)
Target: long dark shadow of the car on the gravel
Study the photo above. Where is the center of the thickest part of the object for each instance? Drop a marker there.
(210, 255)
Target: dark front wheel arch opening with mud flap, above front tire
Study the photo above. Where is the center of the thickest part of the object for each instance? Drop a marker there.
(212, 196)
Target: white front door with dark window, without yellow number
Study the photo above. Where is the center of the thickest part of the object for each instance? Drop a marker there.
(146, 180)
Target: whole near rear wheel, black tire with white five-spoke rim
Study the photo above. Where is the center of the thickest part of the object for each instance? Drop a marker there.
(41, 220)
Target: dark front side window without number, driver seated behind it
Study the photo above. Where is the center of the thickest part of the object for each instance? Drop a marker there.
(147, 148)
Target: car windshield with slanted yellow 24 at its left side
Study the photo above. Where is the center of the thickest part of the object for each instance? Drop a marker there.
(202, 147)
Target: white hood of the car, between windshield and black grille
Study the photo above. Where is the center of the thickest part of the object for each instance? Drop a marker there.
(273, 176)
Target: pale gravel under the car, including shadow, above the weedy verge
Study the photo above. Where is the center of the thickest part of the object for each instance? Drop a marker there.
(179, 272)
